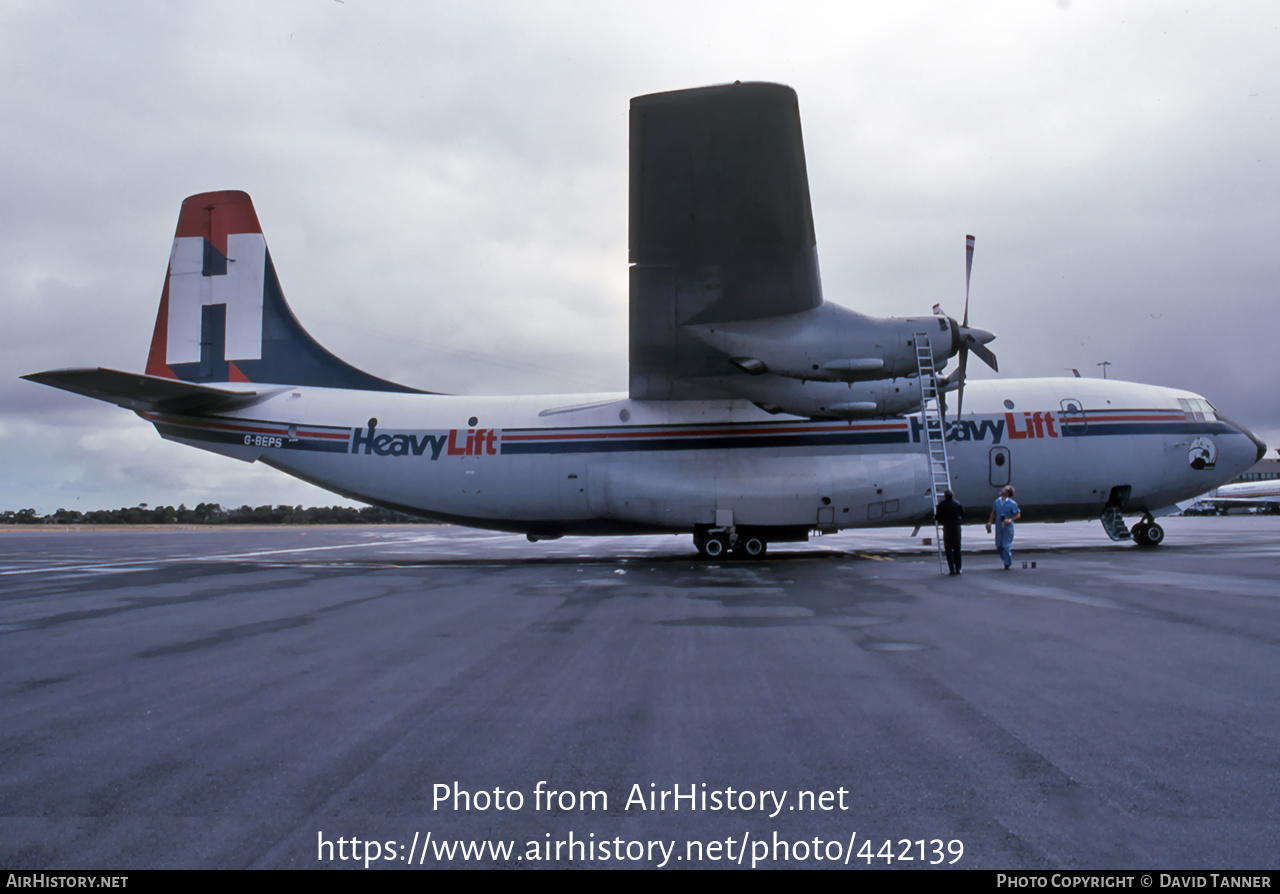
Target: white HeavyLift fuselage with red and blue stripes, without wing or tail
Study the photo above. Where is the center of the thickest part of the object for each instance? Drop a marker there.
(604, 463)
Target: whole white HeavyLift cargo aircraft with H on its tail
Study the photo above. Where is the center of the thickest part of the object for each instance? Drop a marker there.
(757, 412)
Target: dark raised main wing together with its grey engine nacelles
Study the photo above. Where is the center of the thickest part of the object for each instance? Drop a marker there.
(726, 300)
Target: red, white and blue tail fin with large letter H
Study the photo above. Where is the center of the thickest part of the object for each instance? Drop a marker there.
(223, 317)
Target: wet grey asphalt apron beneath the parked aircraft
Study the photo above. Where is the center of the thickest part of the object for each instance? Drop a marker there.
(248, 697)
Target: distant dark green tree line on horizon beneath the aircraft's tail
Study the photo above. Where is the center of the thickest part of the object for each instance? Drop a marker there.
(213, 514)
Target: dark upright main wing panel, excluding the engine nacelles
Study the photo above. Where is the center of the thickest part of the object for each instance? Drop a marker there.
(721, 229)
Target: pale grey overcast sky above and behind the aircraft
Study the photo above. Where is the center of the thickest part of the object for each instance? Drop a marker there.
(444, 189)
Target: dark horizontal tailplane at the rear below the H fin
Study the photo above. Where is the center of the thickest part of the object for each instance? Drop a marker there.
(135, 391)
